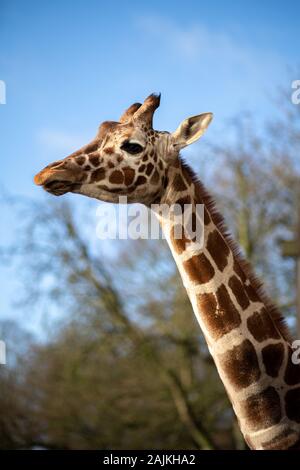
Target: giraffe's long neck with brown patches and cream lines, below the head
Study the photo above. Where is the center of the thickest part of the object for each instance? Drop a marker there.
(244, 332)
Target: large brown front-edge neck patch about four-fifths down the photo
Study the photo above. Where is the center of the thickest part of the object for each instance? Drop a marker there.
(240, 364)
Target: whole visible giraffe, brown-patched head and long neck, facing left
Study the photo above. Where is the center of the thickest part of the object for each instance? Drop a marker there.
(246, 335)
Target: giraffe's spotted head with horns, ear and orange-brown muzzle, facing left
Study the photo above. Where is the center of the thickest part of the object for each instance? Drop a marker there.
(126, 158)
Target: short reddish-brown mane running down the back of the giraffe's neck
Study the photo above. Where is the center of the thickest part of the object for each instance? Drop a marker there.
(218, 219)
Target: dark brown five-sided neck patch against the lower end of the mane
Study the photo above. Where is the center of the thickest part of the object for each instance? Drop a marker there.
(261, 326)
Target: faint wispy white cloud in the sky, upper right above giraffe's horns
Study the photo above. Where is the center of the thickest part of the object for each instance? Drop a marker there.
(238, 73)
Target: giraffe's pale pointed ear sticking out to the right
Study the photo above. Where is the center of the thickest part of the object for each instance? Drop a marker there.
(191, 129)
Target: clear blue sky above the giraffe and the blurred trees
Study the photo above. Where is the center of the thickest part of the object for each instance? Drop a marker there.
(68, 65)
